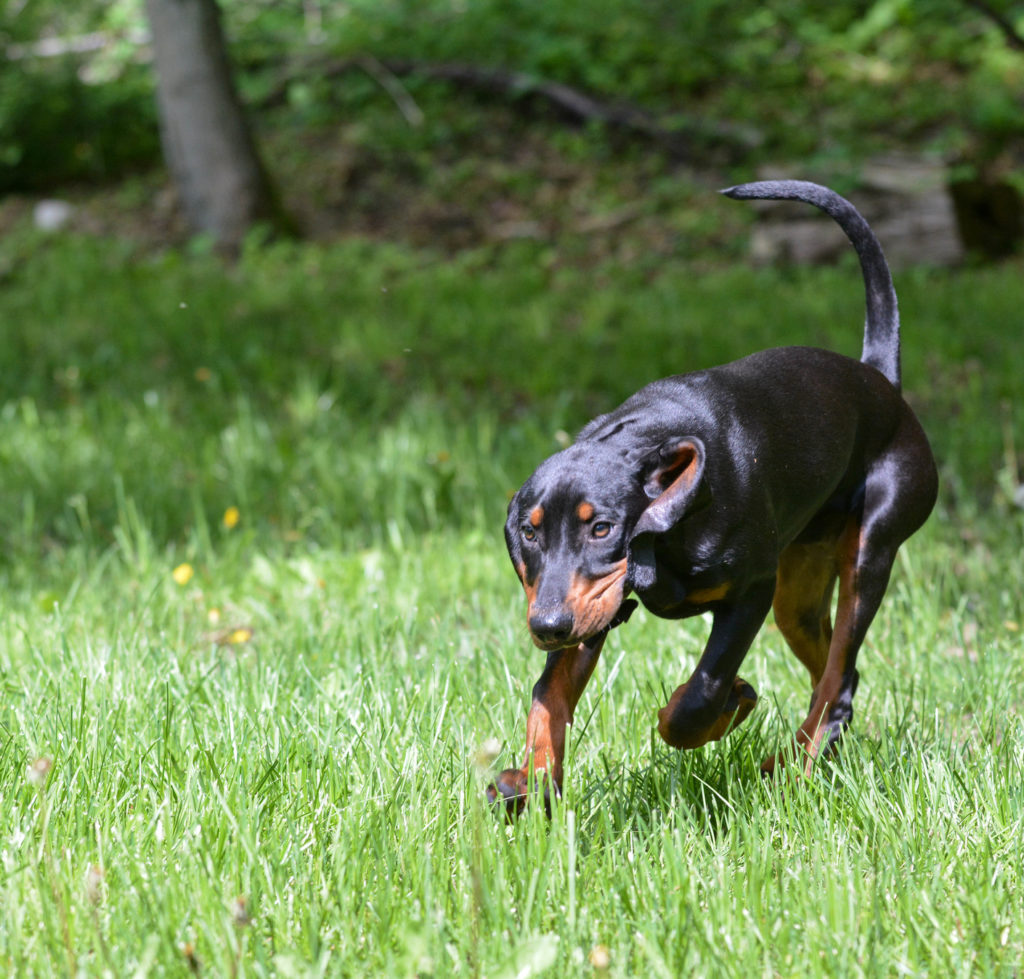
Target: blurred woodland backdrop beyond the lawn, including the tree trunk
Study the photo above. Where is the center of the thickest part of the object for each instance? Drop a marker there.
(456, 122)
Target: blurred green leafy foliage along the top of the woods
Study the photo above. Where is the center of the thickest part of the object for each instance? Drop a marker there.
(824, 83)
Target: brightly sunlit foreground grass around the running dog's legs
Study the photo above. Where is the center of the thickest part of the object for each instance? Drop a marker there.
(324, 771)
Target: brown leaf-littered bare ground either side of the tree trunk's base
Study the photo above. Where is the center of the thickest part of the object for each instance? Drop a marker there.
(493, 182)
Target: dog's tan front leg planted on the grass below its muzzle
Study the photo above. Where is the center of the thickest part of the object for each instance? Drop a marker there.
(556, 698)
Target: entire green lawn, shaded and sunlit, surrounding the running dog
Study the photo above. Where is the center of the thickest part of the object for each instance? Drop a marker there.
(368, 411)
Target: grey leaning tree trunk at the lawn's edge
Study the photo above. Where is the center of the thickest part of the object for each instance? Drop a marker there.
(207, 143)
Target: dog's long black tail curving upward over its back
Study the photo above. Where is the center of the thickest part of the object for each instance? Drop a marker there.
(882, 324)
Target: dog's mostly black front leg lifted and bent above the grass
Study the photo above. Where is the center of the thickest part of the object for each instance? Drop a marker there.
(715, 700)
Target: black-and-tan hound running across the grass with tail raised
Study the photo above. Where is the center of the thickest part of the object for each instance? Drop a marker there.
(761, 484)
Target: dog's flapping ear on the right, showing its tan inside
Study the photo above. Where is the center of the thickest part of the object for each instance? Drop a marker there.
(674, 483)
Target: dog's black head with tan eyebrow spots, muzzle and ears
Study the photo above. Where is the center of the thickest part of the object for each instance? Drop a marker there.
(582, 532)
